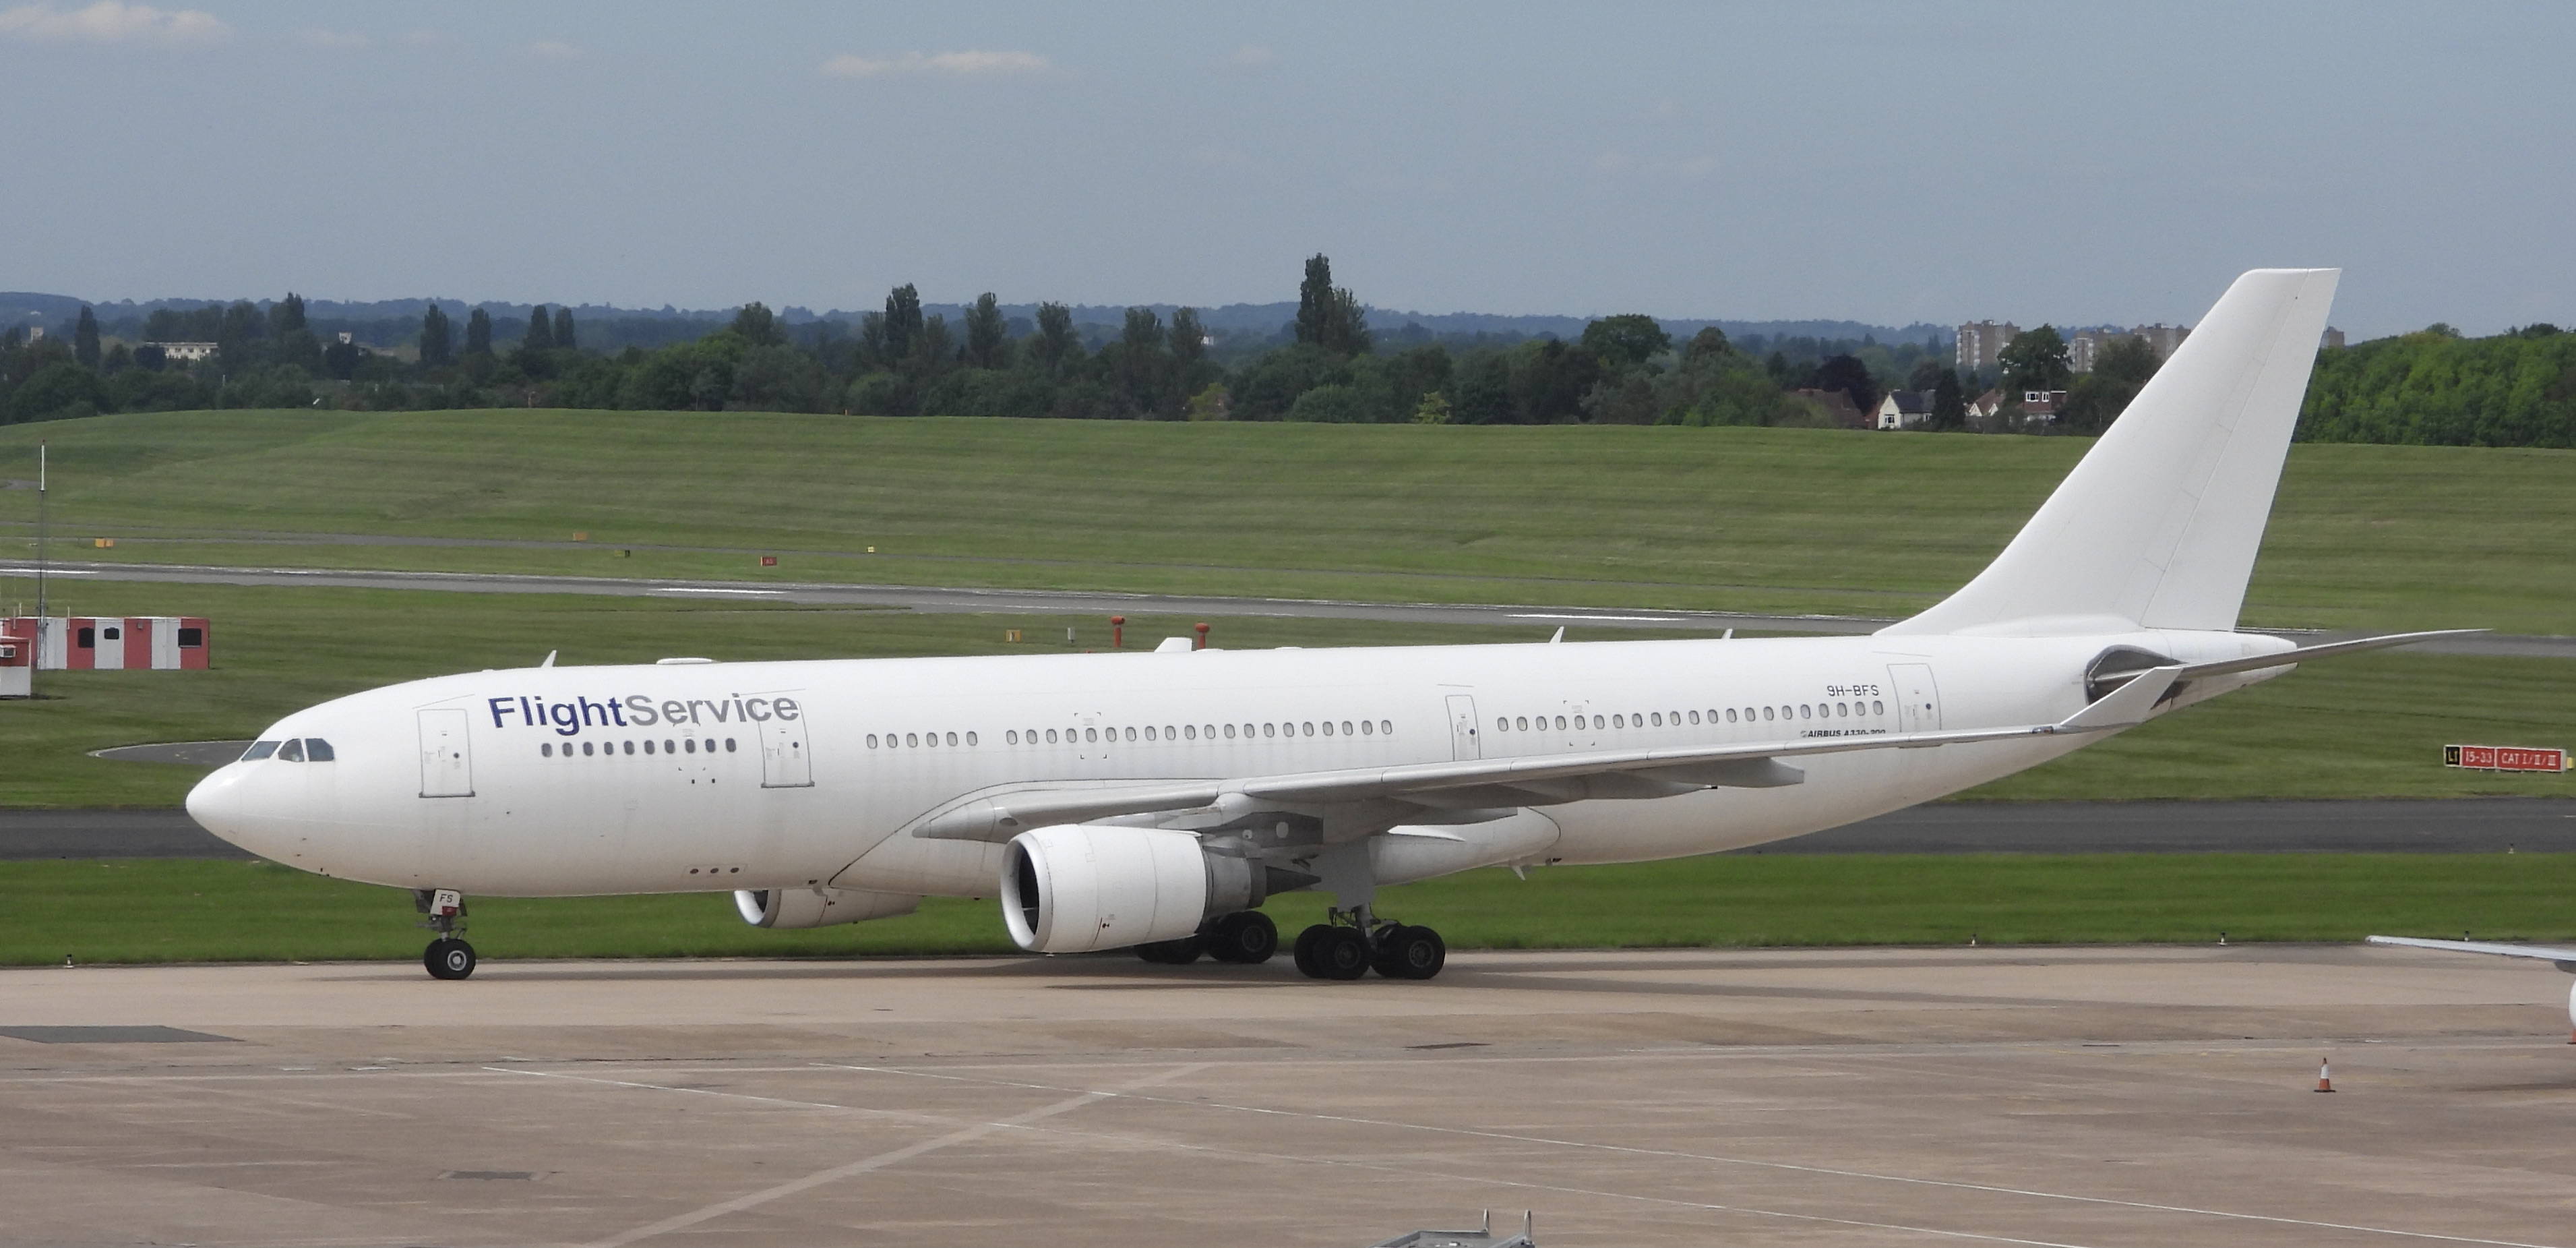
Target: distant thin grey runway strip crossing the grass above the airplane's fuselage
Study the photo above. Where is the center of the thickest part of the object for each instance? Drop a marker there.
(1106, 605)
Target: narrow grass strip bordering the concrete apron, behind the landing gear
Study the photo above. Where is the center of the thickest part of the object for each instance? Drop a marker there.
(225, 912)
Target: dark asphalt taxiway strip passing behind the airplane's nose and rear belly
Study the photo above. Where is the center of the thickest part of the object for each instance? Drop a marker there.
(2467, 826)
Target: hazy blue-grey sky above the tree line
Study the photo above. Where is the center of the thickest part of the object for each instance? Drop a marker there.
(1856, 161)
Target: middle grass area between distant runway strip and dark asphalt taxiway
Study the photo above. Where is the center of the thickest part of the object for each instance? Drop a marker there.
(2366, 726)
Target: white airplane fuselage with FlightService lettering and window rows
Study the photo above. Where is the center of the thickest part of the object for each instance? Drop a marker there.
(784, 775)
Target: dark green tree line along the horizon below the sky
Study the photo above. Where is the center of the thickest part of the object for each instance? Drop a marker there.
(1328, 365)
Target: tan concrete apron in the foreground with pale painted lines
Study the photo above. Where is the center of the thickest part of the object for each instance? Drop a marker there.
(1645, 1097)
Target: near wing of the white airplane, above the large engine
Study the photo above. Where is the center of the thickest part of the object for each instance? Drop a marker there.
(1490, 788)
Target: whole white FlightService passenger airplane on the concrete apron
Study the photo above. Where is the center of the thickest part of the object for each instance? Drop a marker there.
(1155, 801)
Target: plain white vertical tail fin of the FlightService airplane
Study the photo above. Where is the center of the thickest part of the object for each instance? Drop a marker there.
(2157, 527)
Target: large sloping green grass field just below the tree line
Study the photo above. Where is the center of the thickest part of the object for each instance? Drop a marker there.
(1743, 520)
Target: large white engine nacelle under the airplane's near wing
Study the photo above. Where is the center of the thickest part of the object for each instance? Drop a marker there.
(1075, 888)
